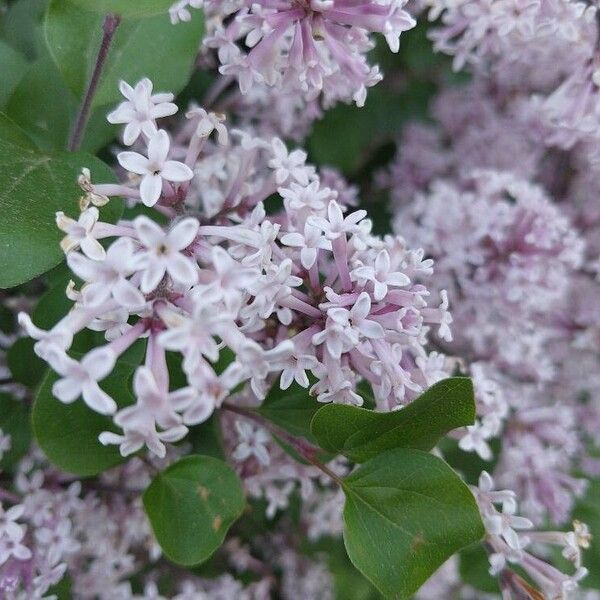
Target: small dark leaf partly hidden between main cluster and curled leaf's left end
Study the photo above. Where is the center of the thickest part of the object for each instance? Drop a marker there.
(292, 409)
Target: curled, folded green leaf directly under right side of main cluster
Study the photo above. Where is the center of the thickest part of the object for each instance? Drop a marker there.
(361, 434)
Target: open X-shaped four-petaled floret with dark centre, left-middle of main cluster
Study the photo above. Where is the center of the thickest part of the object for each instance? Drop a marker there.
(163, 252)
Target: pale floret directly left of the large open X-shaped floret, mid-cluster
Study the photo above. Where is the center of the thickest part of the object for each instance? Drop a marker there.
(108, 277)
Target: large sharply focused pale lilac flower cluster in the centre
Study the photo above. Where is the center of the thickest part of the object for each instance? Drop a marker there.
(304, 290)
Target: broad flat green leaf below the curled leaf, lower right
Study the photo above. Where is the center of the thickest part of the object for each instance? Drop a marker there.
(406, 513)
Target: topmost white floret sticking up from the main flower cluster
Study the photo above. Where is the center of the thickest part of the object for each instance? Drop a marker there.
(140, 110)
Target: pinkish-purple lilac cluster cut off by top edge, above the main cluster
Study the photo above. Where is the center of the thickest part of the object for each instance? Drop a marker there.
(310, 47)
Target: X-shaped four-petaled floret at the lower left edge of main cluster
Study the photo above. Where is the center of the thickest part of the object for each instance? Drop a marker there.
(81, 378)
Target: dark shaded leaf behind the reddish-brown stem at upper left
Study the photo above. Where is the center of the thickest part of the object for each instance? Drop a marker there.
(46, 109)
